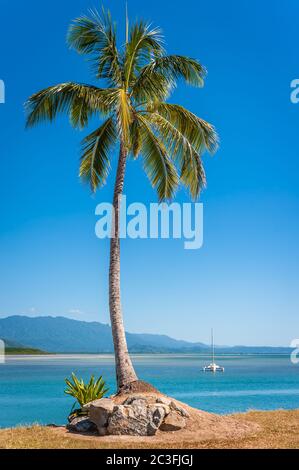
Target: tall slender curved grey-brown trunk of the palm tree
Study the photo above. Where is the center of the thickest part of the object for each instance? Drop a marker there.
(125, 373)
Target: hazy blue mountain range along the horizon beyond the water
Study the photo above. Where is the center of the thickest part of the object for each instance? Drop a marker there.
(63, 335)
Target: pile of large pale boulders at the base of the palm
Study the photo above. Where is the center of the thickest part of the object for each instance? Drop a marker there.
(136, 415)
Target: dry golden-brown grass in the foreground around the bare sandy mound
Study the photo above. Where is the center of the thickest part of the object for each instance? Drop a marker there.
(278, 429)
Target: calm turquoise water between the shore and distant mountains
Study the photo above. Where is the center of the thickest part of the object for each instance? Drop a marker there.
(31, 388)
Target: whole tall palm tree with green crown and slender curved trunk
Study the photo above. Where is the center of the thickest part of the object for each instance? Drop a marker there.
(138, 78)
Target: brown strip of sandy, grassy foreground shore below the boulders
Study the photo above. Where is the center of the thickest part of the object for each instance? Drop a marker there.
(267, 429)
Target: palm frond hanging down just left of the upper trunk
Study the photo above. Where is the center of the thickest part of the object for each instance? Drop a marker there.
(95, 162)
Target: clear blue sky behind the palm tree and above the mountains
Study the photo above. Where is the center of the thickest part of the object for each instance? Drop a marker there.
(244, 281)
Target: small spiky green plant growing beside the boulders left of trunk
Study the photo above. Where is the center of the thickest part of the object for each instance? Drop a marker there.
(84, 392)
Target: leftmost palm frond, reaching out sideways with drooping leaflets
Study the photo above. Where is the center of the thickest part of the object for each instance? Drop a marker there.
(78, 100)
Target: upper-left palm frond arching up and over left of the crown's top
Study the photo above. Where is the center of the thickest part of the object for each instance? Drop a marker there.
(95, 36)
